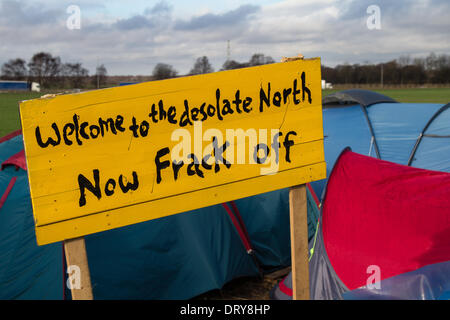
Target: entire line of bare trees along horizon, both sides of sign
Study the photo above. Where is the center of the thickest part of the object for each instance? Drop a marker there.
(51, 72)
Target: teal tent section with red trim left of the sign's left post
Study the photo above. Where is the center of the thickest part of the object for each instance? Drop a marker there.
(26, 270)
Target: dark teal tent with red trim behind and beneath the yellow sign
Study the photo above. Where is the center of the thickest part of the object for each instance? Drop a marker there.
(176, 257)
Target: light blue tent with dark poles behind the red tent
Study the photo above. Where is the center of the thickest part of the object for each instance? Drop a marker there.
(372, 124)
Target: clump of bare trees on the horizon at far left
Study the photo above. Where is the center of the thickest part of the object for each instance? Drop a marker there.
(51, 72)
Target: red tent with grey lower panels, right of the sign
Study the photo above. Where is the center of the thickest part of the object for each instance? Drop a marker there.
(378, 213)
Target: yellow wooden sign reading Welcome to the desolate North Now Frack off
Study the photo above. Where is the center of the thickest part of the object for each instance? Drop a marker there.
(109, 158)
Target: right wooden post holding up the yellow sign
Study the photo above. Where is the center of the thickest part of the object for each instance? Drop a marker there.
(299, 242)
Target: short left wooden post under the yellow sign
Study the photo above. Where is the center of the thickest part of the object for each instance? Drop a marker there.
(75, 251)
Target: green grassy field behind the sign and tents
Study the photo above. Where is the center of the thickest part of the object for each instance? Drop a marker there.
(9, 102)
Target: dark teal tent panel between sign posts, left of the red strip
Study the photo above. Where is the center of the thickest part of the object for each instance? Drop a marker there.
(167, 254)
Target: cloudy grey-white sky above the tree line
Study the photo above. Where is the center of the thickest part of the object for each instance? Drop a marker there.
(132, 36)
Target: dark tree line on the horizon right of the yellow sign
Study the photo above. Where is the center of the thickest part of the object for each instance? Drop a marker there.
(402, 71)
